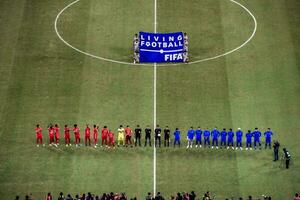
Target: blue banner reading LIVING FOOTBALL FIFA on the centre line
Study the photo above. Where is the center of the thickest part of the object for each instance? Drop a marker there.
(161, 47)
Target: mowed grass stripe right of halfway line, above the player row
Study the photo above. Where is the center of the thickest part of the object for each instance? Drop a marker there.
(188, 94)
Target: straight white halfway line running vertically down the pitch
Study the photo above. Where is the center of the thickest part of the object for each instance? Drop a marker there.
(154, 106)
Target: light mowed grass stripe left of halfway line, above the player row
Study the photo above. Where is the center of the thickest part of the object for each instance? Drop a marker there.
(114, 94)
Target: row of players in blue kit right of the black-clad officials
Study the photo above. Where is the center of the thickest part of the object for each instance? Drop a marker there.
(211, 138)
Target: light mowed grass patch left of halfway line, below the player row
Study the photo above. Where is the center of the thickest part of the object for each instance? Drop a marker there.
(101, 171)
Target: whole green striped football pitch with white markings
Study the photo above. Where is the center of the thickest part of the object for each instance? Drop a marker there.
(43, 80)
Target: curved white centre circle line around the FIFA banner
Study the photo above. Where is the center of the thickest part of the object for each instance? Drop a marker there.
(143, 64)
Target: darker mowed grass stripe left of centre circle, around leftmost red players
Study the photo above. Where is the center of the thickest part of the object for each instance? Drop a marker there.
(39, 92)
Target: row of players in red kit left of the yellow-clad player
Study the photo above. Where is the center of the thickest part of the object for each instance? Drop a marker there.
(108, 137)
